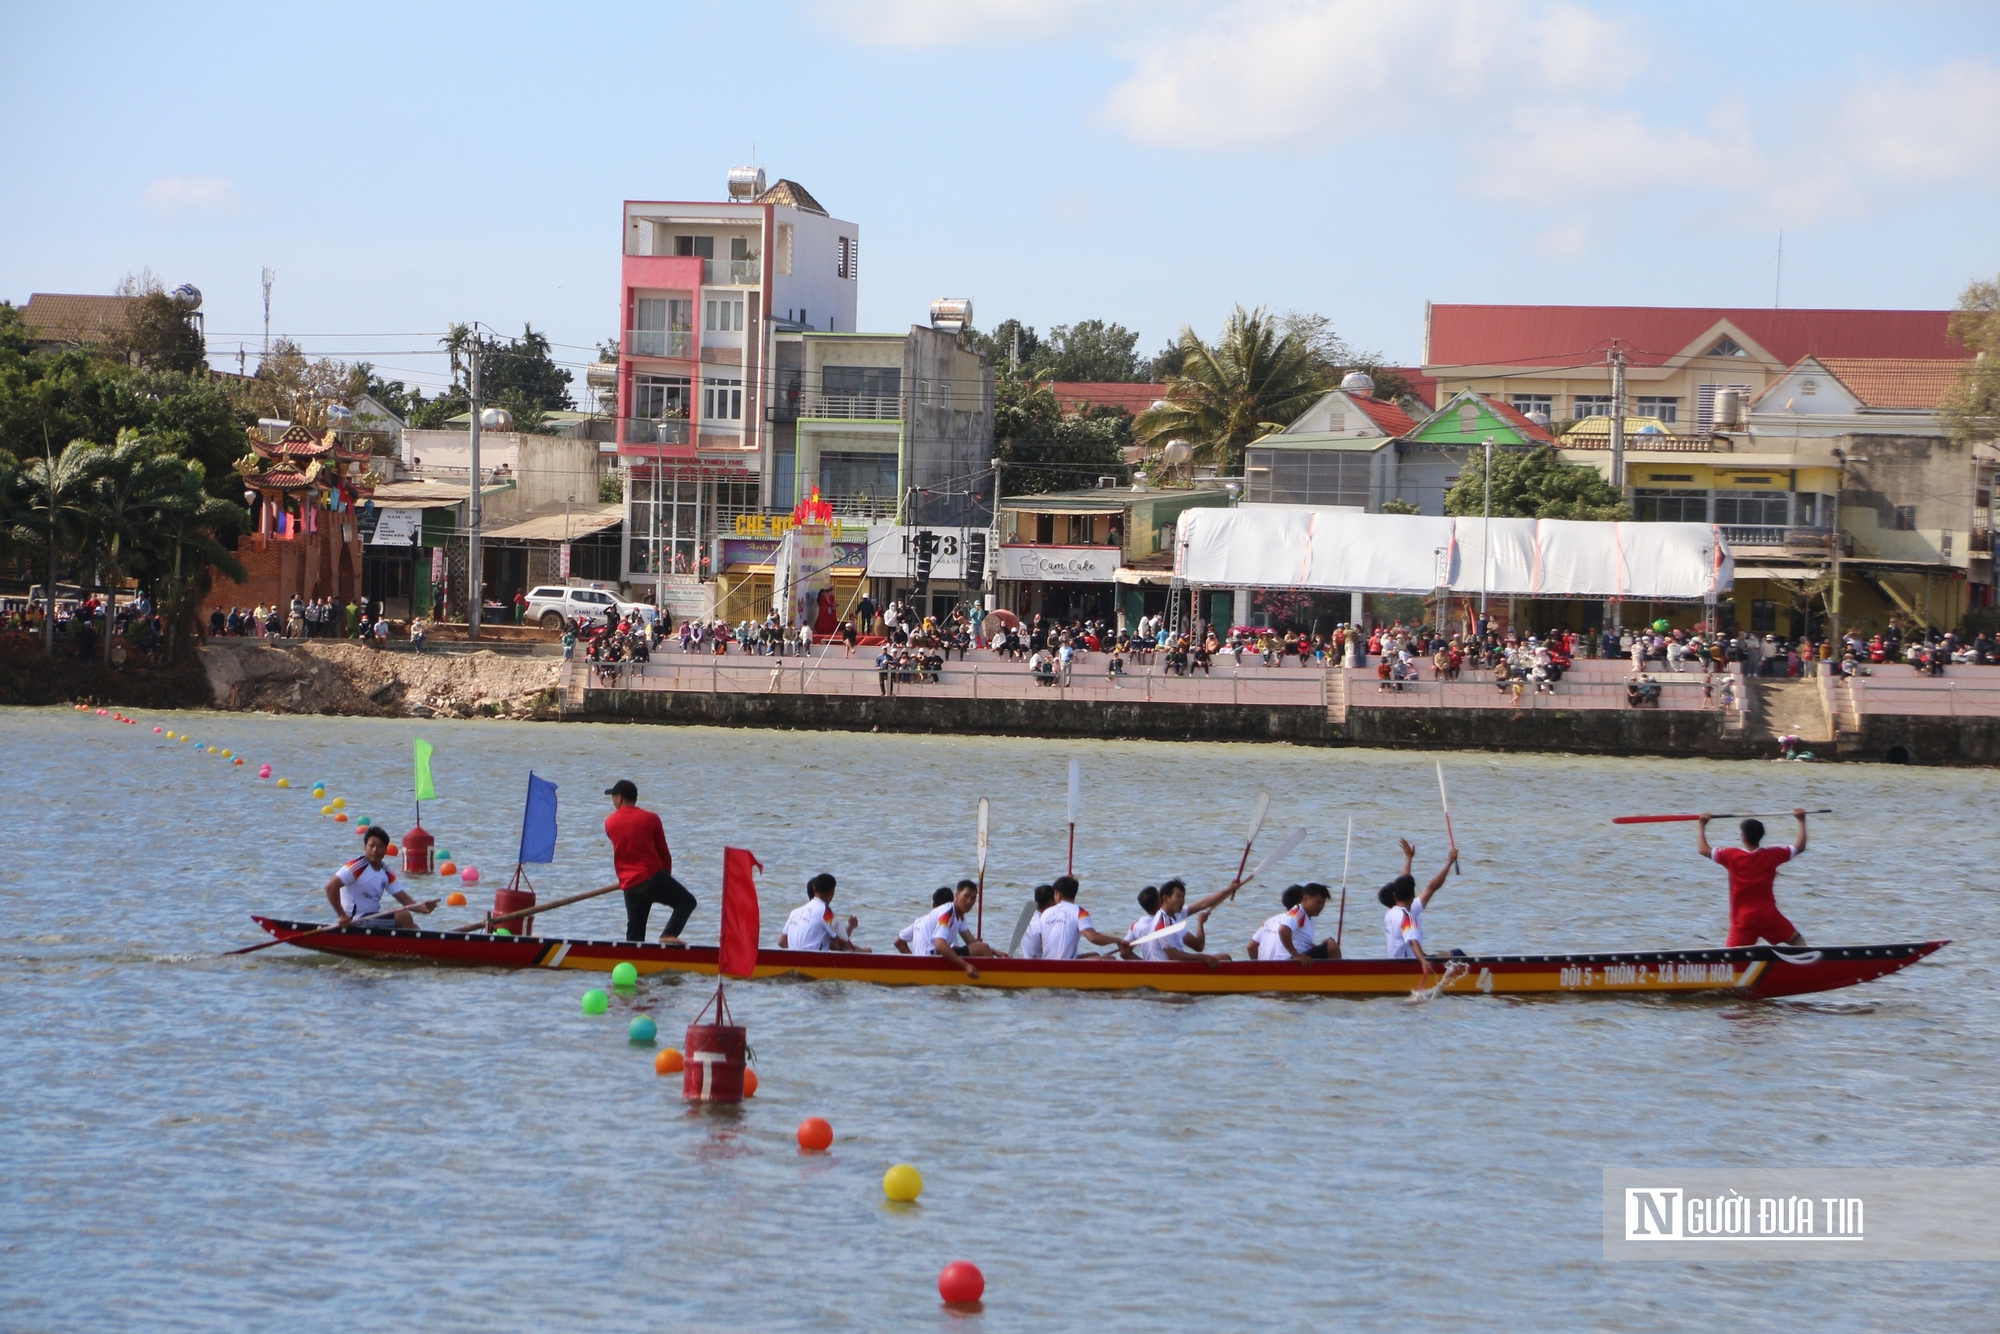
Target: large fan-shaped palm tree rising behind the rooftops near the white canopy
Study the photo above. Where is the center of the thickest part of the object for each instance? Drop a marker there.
(1255, 381)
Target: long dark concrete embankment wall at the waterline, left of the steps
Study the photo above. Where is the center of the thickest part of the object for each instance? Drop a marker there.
(1667, 733)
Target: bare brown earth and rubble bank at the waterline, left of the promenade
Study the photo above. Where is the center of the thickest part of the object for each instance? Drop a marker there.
(347, 679)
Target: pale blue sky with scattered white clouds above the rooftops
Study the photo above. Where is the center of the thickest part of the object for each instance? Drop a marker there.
(405, 167)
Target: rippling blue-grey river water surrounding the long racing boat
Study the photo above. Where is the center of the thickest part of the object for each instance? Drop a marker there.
(293, 1141)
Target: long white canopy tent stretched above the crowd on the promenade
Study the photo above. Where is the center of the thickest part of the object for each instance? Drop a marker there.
(1413, 555)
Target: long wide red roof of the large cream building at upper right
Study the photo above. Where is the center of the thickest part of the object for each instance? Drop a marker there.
(1653, 335)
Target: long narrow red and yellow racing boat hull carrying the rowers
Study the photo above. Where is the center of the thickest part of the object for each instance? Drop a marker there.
(1753, 971)
